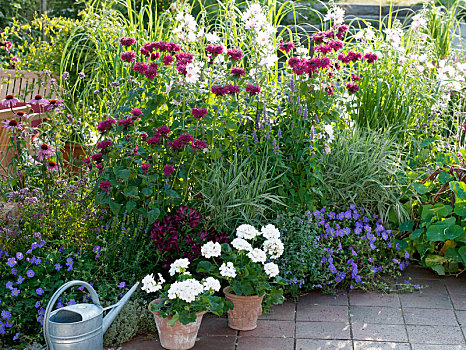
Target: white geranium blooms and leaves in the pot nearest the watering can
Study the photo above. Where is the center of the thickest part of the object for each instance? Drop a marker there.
(187, 296)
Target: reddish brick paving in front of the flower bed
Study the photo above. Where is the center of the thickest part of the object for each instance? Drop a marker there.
(432, 320)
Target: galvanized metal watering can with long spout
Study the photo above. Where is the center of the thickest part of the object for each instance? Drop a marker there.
(79, 326)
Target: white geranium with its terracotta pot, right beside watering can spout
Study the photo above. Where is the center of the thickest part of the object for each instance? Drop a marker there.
(180, 305)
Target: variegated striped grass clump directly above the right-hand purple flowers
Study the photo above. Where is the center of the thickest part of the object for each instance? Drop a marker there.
(363, 169)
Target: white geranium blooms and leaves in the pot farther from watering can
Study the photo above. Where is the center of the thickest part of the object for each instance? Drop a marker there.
(250, 267)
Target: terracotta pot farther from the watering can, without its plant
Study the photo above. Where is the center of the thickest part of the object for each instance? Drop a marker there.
(246, 310)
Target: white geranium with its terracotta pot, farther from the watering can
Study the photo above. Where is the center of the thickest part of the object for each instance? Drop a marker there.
(249, 271)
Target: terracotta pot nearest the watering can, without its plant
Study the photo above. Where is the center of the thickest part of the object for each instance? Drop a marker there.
(178, 336)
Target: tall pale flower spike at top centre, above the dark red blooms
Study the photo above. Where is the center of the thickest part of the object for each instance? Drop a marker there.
(255, 20)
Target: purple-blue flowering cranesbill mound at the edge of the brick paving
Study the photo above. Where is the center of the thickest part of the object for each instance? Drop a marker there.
(361, 253)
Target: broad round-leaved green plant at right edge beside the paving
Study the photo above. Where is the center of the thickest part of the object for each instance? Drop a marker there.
(436, 231)
